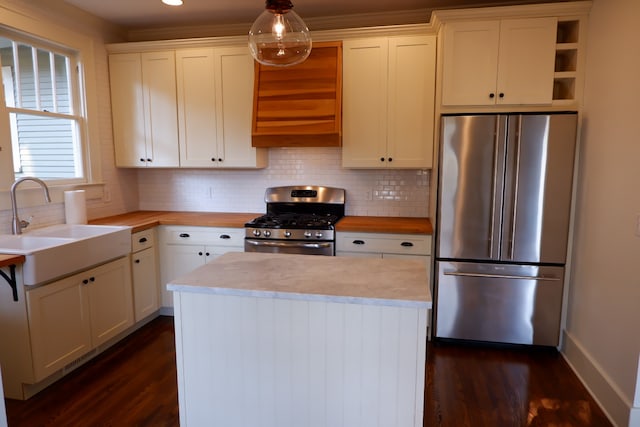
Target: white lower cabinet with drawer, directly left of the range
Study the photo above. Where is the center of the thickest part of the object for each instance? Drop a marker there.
(185, 248)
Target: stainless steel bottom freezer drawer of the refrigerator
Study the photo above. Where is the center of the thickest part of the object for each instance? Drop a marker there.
(514, 304)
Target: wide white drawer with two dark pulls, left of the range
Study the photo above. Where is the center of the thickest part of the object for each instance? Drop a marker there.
(204, 236)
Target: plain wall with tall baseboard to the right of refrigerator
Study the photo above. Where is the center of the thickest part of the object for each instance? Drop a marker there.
(603, 342)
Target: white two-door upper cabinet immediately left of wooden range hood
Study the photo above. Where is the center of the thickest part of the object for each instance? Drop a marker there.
(215, 99)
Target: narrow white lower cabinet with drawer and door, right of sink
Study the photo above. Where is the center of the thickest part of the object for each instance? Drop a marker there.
(144, 273)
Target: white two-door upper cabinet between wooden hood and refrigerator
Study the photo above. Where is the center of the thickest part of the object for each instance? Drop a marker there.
(388, 102)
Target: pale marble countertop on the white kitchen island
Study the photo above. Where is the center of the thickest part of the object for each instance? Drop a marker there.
(370, 281)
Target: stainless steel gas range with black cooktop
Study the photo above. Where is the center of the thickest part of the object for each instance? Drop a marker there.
(299, 220)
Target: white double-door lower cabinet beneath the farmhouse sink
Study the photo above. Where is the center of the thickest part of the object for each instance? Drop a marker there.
(71, 316)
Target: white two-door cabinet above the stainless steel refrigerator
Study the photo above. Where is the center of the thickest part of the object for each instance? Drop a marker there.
(499, 62)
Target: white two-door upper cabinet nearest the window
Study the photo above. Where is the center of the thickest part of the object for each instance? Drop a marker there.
(143, 104)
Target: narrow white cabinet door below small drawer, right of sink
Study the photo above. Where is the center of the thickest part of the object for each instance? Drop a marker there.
(145, 283)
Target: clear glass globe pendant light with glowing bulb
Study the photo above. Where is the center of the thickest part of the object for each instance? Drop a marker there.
(279, 37)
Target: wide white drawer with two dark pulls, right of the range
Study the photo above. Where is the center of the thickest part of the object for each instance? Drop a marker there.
(409, 244)
